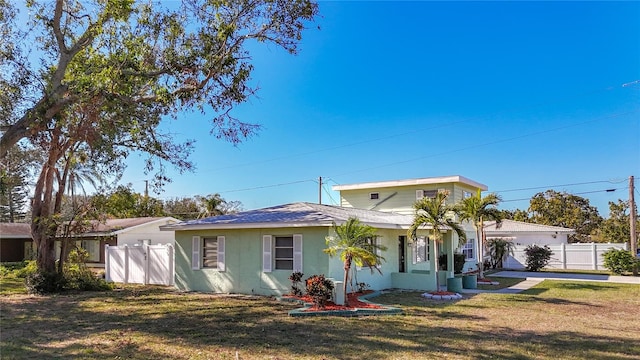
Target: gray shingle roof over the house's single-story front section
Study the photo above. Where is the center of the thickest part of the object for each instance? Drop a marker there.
(299, 214)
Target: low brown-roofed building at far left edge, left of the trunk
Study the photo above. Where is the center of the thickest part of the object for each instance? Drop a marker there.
(16, 243)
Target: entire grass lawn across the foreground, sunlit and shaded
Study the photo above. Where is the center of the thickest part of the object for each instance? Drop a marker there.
(553, 320)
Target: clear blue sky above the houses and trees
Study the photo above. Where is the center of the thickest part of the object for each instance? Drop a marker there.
(515, 95)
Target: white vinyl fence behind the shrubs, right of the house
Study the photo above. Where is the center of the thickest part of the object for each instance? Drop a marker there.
(568, 256)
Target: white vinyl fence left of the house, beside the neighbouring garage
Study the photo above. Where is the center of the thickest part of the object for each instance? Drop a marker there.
(140, 264)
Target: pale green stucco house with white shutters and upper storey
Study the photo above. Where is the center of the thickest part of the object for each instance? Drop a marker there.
(255, 252)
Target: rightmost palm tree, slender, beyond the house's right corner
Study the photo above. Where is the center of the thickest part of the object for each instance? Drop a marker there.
(478, 209)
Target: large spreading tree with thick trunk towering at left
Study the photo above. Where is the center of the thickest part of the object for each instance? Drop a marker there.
(97, 77)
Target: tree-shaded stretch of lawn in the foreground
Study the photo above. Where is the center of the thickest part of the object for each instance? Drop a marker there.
(170, 324)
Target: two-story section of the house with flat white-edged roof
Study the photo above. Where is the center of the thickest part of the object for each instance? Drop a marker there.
(398, 196)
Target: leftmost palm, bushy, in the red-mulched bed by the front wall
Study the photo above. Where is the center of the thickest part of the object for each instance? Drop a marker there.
(355, 242)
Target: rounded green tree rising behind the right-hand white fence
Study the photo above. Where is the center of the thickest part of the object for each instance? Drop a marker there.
(565, 210)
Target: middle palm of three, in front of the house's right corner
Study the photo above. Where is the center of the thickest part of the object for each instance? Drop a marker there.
(434, 214)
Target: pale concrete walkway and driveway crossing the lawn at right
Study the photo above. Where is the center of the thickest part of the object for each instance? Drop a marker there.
(534, 278)
